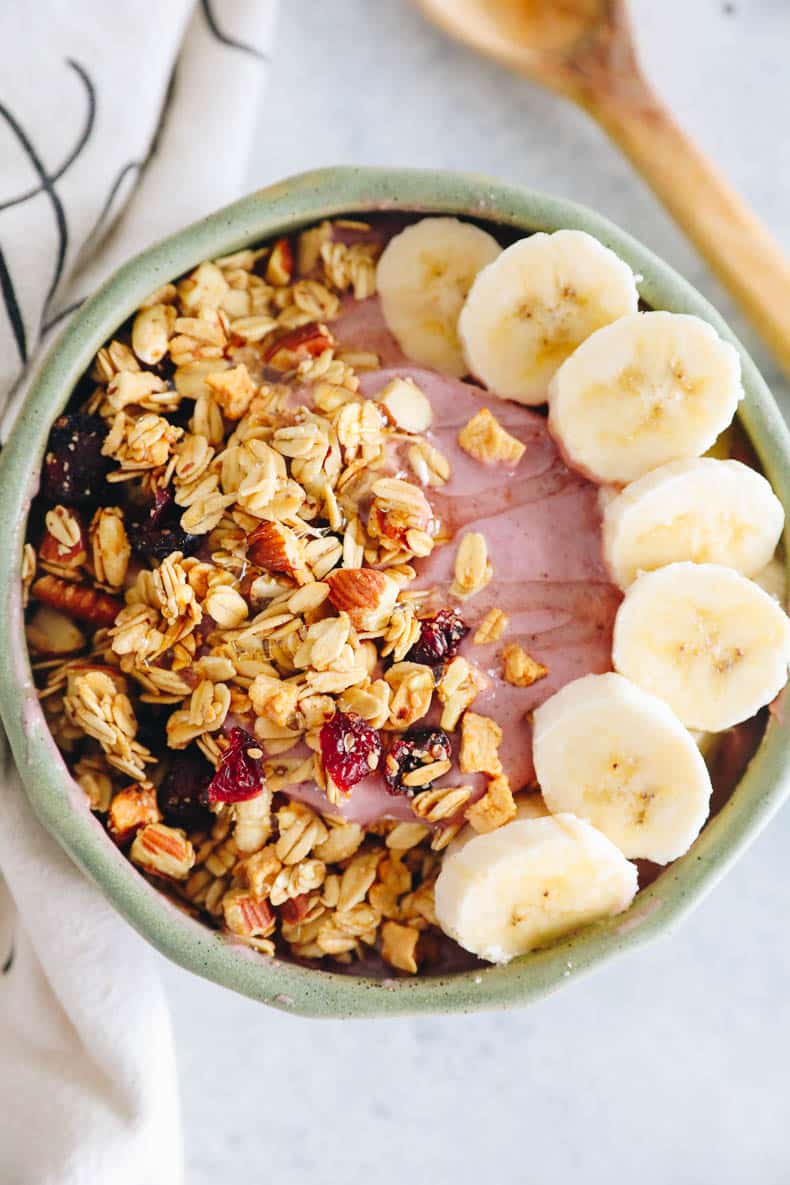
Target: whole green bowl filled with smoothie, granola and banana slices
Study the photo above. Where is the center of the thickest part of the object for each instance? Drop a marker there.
(393, 604)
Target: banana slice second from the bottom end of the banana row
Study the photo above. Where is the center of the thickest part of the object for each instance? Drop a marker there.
(612, 754)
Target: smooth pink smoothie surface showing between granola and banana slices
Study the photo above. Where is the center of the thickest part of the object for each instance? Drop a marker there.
(543, 529)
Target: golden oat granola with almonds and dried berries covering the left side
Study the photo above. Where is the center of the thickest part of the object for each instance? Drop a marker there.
(224, 608)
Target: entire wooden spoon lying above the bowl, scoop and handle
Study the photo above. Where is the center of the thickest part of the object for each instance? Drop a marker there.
(586, 52)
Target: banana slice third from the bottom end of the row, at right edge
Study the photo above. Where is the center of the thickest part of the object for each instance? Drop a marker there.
(706, 640)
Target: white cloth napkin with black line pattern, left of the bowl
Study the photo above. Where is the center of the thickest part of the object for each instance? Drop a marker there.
(119, 124)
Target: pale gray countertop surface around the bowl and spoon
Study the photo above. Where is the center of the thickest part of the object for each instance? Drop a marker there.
(673, 1064)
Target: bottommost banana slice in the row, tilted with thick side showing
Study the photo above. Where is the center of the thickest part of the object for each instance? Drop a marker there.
(530, 883)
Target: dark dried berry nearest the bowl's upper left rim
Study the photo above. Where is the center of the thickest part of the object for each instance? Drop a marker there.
(75, 471)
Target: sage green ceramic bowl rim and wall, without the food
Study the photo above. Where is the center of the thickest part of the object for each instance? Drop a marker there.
(61, 805)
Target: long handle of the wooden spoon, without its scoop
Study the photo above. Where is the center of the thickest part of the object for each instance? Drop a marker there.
(734, 241)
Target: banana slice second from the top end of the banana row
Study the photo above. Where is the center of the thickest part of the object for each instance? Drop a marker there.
(531, 308)
